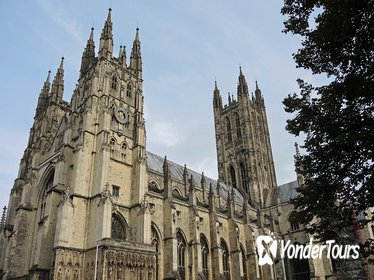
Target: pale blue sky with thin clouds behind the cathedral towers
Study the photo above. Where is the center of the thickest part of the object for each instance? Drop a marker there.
(186, 46)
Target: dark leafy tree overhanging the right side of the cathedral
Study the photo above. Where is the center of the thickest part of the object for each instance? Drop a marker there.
(336, 118)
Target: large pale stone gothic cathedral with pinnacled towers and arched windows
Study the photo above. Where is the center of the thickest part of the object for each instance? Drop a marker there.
(91, 202)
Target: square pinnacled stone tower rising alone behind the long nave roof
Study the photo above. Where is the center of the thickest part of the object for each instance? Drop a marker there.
(244, 155)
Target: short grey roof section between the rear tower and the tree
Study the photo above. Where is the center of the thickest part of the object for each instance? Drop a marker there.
(281, 194)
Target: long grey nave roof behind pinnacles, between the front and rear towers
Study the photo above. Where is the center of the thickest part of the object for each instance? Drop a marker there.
(155, 163)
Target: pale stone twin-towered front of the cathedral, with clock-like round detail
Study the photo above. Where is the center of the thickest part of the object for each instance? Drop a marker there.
(83, 178)
